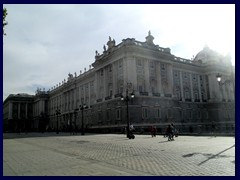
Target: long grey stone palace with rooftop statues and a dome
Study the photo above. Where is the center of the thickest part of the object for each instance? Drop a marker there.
(166, 88)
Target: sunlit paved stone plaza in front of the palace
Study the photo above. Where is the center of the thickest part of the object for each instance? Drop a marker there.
(49, 154)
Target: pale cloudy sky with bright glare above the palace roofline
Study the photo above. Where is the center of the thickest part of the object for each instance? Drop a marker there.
(46, 42)
